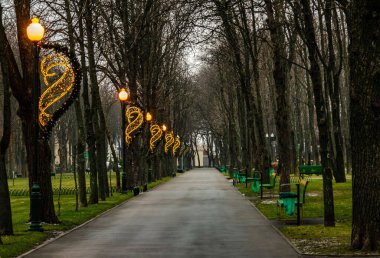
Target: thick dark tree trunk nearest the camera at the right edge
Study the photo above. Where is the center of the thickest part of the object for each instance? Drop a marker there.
(364, 54)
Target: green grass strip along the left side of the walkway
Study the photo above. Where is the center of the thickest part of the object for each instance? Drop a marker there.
(23, 240)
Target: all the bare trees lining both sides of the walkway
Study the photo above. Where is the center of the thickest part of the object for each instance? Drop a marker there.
(306, 71)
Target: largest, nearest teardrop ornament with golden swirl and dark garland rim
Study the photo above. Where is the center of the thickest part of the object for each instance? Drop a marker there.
(62, 76)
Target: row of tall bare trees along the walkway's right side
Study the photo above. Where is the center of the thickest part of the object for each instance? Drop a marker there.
(301, 70)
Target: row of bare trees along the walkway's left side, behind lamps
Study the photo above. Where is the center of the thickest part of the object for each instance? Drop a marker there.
(138, 45)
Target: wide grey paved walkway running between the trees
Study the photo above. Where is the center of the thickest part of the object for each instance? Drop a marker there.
(198, 214)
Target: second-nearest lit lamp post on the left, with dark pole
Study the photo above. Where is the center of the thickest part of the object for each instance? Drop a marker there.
(123, 97)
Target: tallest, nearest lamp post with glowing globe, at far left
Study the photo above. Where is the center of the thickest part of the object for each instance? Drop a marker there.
(35, 33)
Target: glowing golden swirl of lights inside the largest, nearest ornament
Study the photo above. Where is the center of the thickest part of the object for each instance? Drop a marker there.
(59, 78)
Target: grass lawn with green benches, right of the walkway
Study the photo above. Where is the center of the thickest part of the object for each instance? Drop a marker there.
(312, 238)
